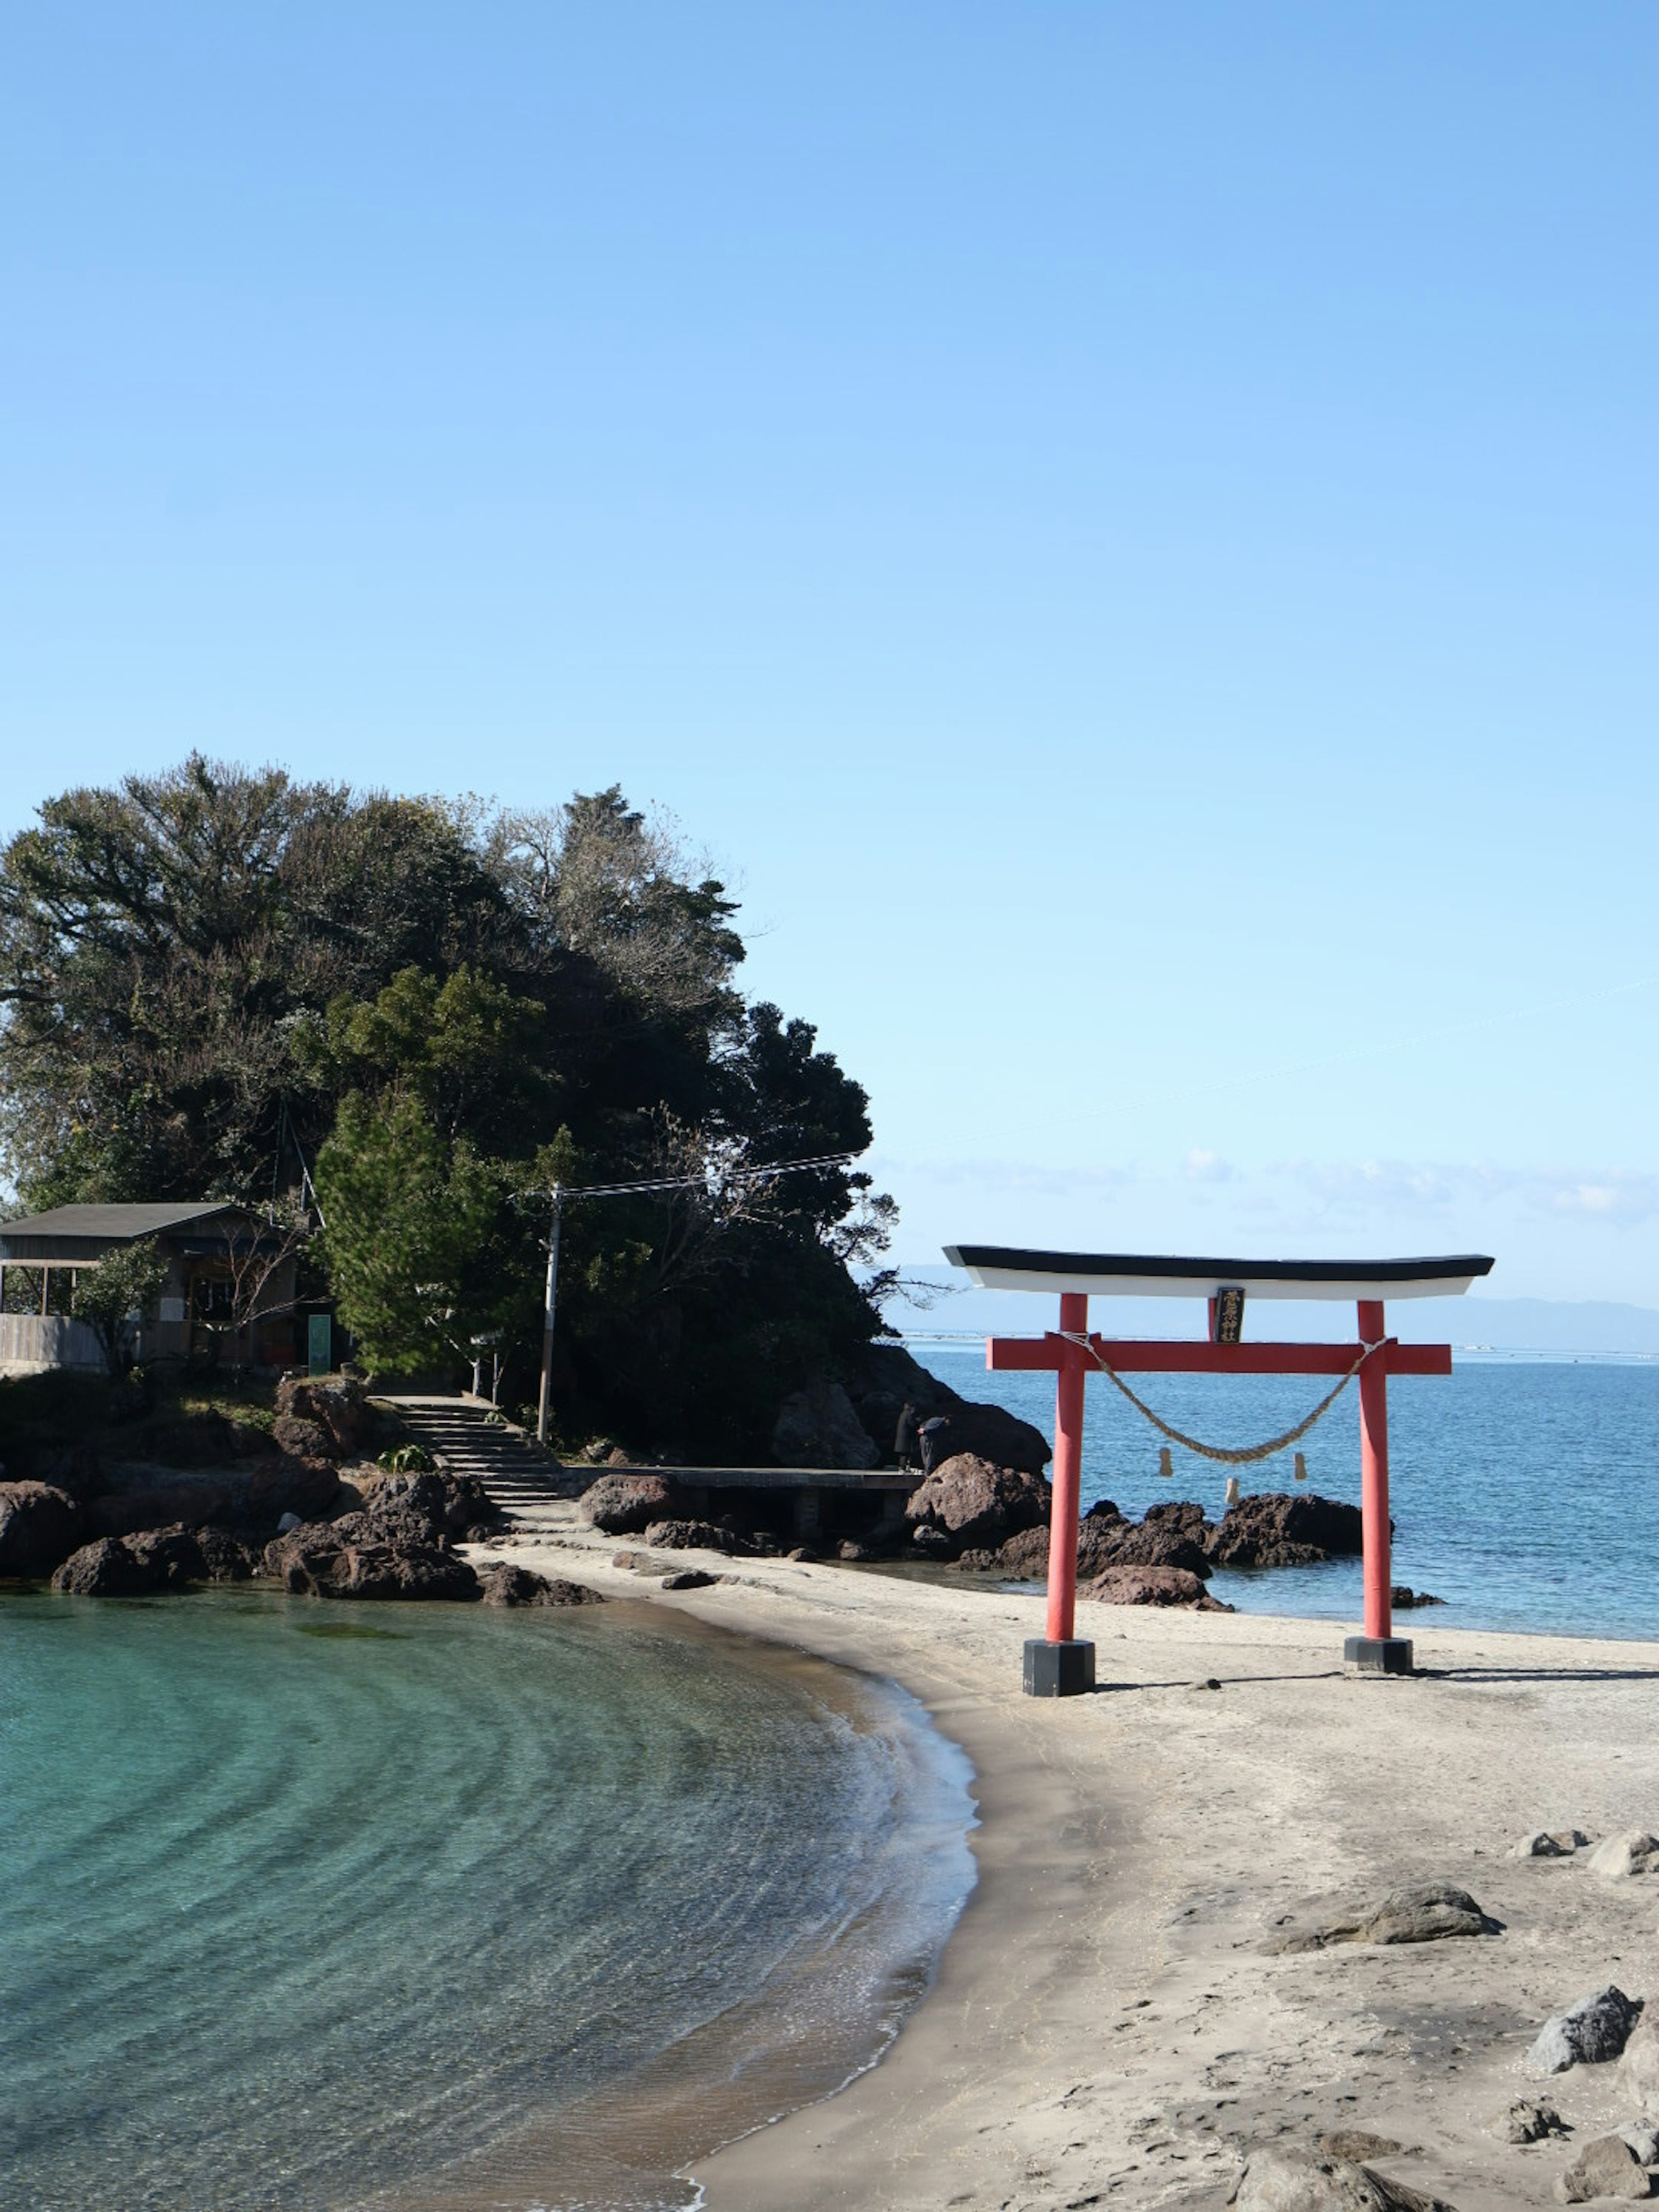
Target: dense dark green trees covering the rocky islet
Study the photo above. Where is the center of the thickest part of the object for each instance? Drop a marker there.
(216, 983)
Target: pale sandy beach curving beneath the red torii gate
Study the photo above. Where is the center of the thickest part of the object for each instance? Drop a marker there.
(1109, 2021)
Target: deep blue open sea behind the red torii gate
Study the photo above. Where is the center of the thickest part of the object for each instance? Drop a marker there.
(1523, 1492)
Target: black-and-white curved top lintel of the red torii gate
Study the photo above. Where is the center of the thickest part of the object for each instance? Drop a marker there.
(1147, 1275)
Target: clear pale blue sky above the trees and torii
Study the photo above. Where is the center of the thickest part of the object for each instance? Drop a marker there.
(1129, 530)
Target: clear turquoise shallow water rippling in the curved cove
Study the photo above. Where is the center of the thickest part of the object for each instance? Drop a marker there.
(315, 1901)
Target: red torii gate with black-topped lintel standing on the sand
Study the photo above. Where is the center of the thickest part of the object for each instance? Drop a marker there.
(1063, 1665)
